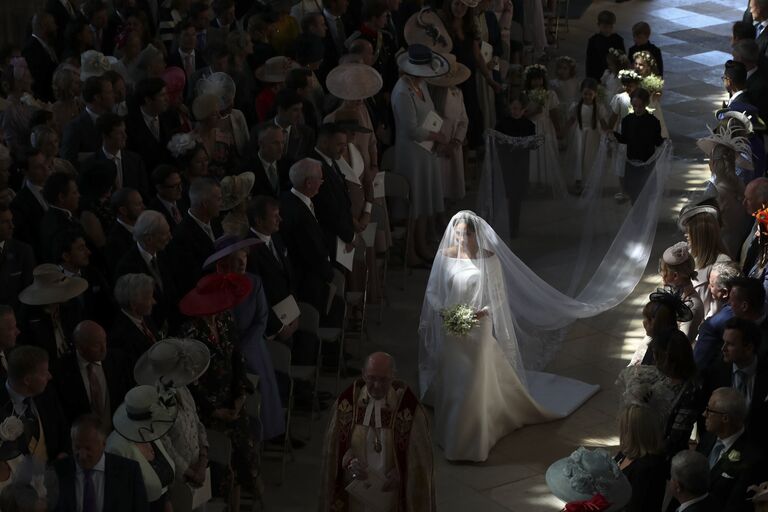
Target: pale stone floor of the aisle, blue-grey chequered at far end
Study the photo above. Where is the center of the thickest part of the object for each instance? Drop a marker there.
(694, 37)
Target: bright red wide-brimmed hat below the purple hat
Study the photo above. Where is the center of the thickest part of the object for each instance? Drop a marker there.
(215, 293)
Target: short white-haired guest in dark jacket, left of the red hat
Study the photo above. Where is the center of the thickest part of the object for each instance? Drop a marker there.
(133, 330)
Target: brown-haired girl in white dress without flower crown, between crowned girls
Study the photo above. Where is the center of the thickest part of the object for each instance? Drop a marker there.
(591, 120)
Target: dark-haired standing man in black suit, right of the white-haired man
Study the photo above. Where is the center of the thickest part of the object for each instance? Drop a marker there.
(332, 204)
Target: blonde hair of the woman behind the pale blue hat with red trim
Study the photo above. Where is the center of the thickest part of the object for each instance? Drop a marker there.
(640, 431)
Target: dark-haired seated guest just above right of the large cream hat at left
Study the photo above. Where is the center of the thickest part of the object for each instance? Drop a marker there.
(74, 258)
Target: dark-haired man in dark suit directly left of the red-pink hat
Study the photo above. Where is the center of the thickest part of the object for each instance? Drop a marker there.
(148, 125)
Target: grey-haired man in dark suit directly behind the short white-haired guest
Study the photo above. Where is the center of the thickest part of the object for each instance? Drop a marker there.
(148, 256)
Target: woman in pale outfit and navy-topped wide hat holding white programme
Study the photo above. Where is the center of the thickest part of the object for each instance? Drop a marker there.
(415, 157)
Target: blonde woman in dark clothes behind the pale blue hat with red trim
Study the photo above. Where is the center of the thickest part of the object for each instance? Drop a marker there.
(642, 458)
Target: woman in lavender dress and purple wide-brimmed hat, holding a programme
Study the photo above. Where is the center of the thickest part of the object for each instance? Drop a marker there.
(254, 321)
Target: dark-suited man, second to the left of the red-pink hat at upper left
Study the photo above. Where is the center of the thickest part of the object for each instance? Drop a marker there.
(80, 134)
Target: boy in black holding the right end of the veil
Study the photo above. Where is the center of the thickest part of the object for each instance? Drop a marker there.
(641, 133)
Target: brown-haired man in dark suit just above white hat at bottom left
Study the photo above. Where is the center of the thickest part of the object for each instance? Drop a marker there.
(26, 395)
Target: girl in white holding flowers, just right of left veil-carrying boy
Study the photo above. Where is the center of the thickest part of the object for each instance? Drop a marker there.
(543, 111)
